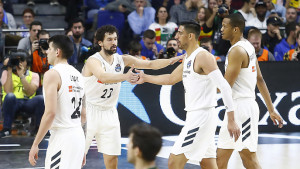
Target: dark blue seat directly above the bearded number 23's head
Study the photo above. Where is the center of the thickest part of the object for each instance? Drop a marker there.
(110, 17)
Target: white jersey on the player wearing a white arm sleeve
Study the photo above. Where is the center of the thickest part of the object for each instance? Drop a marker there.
(200, 91)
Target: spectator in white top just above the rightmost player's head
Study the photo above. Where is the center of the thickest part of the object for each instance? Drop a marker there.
(248, 10)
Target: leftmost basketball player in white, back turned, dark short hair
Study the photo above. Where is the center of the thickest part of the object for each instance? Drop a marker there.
(63, 93)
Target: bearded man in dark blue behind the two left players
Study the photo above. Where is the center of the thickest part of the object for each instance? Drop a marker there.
(80, 44)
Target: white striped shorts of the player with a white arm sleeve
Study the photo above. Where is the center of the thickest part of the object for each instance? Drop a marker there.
(196, 139)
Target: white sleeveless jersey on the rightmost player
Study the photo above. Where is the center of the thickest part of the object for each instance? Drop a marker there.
(244, 86)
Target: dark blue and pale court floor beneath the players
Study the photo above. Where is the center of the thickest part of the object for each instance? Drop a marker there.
(275, 151)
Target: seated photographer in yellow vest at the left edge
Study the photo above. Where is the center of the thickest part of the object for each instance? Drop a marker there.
(19, 88)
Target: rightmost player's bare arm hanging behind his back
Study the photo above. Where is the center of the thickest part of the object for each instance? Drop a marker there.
(263, 89)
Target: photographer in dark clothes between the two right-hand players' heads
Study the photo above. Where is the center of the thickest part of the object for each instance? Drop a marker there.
(214, 23)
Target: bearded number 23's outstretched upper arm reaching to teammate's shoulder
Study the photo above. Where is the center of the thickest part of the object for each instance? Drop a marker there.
(147, 64)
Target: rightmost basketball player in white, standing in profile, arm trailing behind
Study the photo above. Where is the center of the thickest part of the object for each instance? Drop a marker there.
(243, 74)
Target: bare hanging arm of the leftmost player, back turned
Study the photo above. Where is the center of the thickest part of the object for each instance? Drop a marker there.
(52, 84)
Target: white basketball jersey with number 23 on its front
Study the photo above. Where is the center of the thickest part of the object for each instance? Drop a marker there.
(104, 94)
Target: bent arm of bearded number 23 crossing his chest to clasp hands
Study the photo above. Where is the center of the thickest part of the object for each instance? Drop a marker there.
(94, 67)
